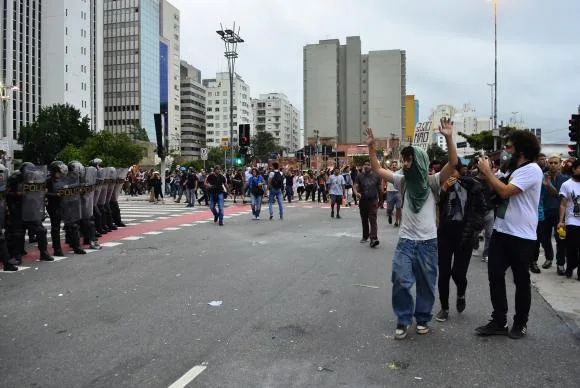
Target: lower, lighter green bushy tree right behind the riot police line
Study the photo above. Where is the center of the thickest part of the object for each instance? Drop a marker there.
(115, 149)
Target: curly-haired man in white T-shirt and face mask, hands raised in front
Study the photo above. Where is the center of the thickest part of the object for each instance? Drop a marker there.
(513, 241)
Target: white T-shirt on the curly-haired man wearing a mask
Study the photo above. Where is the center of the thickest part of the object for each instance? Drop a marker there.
(518, 215)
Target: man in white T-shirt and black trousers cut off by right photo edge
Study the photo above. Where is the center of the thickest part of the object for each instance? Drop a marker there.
(570, 219)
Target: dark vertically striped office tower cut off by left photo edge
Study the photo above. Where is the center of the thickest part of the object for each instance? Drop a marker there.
(21, 67)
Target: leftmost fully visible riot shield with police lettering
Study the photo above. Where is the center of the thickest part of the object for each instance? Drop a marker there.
(33, 189)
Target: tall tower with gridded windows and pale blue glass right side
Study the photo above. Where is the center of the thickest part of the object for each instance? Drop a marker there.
(131, 60)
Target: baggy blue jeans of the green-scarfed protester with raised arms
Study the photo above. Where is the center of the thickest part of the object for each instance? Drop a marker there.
(414, 262)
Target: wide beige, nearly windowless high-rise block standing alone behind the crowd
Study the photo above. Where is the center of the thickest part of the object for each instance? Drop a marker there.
(346, 92)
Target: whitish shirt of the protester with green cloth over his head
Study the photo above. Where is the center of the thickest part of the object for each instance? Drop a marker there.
(419, 226)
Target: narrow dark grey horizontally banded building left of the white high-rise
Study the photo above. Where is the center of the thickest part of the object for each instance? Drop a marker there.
(193, 100)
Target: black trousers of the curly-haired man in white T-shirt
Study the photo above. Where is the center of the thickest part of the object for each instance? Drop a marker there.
(507, 251)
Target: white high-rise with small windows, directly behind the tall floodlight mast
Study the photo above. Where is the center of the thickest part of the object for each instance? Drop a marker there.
(218, 109)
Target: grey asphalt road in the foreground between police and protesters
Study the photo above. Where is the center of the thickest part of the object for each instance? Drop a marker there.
(304, 304)
